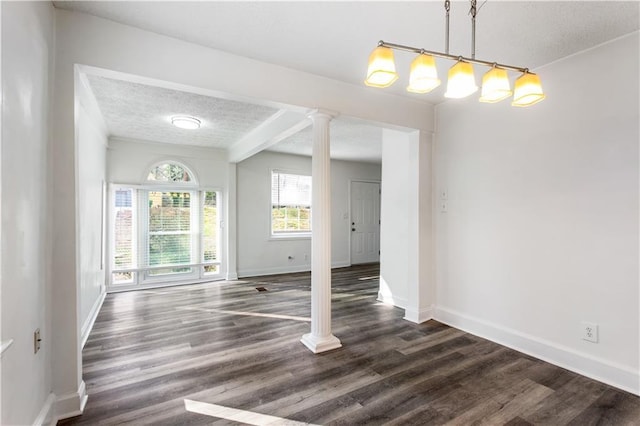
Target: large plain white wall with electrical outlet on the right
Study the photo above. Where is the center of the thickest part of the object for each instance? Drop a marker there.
(541, 231)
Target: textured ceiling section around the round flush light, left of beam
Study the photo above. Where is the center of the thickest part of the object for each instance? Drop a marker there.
(138, 111)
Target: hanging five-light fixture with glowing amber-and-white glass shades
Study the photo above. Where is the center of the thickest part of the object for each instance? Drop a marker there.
(461, 81)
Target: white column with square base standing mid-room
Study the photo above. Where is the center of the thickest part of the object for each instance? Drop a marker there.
(320, 339)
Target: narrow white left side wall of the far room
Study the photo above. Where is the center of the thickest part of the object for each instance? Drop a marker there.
(91, 133)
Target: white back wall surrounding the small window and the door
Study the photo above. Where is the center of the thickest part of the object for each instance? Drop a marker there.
(258, 253)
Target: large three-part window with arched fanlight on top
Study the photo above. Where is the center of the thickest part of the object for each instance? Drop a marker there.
(164, 230)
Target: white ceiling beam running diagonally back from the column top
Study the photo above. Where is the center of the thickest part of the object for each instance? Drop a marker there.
(279, 126)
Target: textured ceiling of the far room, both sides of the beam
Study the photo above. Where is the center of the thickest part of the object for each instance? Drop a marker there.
(143, 112)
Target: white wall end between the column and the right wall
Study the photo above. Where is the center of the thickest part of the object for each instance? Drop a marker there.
(406, 243)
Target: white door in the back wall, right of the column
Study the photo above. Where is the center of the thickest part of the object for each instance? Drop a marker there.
(365, 222)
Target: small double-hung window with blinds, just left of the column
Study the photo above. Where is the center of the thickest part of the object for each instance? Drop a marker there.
(290, 204)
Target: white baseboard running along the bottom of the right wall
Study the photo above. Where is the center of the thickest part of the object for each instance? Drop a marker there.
(604, 371)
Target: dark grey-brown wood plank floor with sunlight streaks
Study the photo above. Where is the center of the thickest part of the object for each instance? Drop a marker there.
(152, 354)
